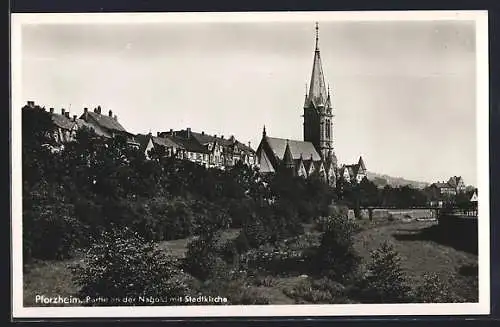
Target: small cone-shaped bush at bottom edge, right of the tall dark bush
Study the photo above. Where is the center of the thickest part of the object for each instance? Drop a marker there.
(385, 281)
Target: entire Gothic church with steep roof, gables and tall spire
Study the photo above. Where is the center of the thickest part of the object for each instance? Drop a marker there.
(315, 154)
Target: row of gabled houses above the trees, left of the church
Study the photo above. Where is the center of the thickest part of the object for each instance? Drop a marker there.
(211, 151)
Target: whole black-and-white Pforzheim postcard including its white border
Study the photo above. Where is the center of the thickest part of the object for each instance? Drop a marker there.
(250, 164)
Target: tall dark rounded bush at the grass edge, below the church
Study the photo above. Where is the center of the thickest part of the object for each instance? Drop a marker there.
(336, 254)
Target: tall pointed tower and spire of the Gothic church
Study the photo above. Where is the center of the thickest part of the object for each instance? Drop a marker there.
(318, 116)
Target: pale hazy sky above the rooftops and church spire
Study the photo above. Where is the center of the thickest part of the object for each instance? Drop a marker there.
(404, 92)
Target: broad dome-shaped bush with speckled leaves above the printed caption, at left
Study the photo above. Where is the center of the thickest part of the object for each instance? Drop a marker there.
(122, 264)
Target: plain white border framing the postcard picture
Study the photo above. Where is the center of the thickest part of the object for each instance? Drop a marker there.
(482, 307)
